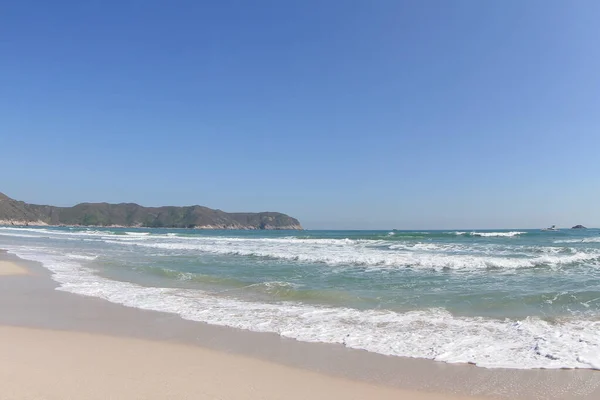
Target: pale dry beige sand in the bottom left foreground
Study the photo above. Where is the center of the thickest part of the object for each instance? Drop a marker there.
(46, 364)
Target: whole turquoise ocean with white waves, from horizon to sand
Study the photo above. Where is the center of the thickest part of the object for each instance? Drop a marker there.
(494, 298)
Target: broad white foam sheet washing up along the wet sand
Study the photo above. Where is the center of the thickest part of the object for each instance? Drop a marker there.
(433, 334)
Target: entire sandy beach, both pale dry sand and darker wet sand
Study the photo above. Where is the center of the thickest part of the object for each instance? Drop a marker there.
(45, 331)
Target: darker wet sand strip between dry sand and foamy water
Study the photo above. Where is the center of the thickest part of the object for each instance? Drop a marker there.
(33, 303)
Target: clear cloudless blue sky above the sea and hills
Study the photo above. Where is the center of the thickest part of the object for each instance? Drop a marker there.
(345, 114)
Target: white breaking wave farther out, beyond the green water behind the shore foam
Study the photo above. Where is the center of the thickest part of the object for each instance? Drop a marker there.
(370, 254)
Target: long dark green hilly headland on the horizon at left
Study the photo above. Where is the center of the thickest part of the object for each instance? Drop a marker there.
(13, 212)
